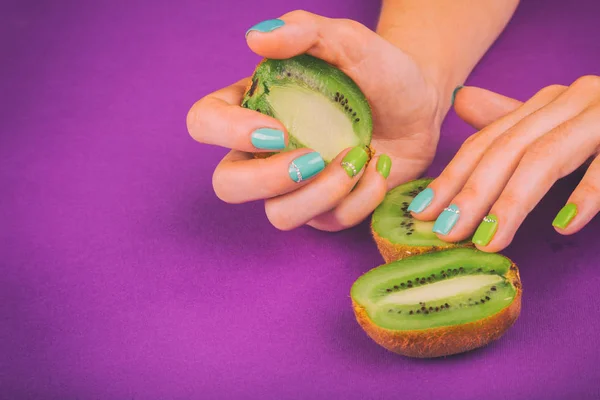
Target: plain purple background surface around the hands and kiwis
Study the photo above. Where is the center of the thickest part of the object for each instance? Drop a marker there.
(123, 276)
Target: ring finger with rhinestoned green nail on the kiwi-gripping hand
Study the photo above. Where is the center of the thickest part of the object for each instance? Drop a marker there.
(324, 193)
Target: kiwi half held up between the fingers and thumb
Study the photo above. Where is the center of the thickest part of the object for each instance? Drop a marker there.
(320, 106)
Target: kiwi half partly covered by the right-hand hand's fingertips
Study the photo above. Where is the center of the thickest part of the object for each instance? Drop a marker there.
(397, 234)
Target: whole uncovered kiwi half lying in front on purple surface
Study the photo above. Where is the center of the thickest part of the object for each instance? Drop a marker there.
(438, 304)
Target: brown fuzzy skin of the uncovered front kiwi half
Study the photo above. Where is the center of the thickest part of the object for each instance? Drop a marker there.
(445, 341)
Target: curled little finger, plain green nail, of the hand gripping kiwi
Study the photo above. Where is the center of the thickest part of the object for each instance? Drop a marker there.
(366, 196)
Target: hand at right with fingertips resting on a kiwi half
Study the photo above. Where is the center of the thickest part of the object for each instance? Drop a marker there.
(501, 173)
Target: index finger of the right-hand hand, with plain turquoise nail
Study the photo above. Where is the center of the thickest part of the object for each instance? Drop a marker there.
(453, 178)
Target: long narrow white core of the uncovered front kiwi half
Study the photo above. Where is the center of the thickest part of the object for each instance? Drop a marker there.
(443, 289)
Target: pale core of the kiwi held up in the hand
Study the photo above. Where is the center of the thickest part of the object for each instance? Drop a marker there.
(312, 118)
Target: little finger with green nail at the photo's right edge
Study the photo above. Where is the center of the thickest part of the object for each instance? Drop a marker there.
(583, 204)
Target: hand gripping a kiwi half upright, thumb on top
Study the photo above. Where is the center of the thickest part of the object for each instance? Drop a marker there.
(407, 114)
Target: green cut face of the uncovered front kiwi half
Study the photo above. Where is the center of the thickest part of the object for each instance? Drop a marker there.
(433, 290)
